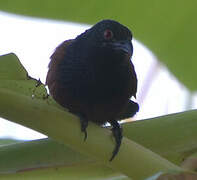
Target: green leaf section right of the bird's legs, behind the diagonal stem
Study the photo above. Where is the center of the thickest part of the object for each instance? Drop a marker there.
(172, 136)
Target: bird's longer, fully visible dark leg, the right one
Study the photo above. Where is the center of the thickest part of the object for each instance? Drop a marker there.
(117, 133)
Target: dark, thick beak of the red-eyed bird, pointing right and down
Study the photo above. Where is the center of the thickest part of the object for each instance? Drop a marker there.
(125, 46)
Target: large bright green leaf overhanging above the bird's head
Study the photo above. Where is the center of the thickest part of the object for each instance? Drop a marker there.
(167, 27)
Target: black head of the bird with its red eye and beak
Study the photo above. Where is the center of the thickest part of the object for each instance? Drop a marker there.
(110, 34)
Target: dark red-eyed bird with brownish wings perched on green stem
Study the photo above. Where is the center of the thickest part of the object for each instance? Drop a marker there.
(94, 78)
